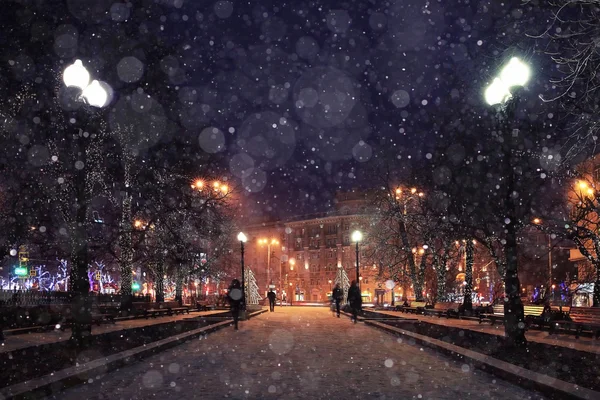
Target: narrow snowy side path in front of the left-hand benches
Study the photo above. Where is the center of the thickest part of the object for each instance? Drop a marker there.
(15, 342)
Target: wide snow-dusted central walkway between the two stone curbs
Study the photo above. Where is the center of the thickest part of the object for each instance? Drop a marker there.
(298, 353)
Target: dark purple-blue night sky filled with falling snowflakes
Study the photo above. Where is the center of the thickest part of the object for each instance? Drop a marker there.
(299, 99)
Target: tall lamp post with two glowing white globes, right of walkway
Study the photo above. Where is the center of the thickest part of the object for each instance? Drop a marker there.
(514, 75)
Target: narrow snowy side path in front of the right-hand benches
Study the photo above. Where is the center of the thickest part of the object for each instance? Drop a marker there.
(568, 340)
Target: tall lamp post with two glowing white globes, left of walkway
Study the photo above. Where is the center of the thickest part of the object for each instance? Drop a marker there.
(97, 95)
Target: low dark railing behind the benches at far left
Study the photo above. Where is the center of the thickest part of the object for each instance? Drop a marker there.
(19, 298)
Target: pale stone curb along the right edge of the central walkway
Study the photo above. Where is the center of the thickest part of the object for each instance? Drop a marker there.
(552, 387)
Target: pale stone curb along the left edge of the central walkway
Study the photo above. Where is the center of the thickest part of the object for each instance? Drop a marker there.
(60, 380)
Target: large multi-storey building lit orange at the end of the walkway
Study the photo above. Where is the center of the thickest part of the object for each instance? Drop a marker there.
(299, 258)
